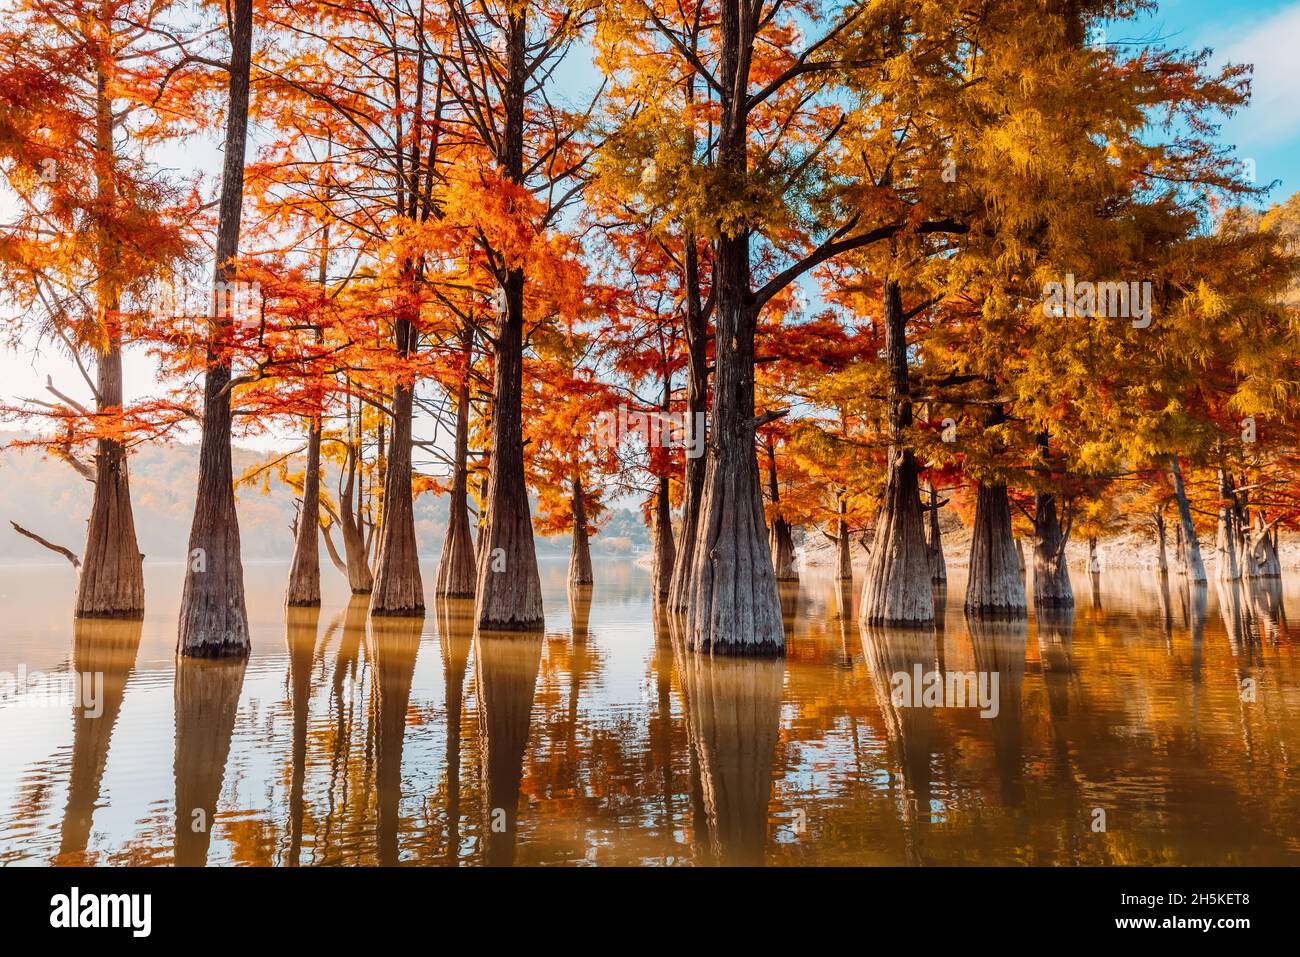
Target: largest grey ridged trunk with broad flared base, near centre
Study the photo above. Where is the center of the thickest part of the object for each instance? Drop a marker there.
(735, 608)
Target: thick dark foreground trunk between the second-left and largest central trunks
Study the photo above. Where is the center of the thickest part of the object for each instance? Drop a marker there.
(510, 590)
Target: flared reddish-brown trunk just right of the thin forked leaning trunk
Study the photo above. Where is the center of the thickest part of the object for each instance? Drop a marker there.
(398, 586)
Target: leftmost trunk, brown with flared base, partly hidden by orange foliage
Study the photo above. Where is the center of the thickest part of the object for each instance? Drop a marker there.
(112, 574)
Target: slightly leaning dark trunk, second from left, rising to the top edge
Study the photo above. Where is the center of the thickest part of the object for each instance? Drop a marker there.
(214, 618)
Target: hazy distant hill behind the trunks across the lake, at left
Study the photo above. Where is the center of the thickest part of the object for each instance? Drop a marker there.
(47, 497)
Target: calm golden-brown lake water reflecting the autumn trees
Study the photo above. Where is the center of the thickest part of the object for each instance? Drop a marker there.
(353, 742)
